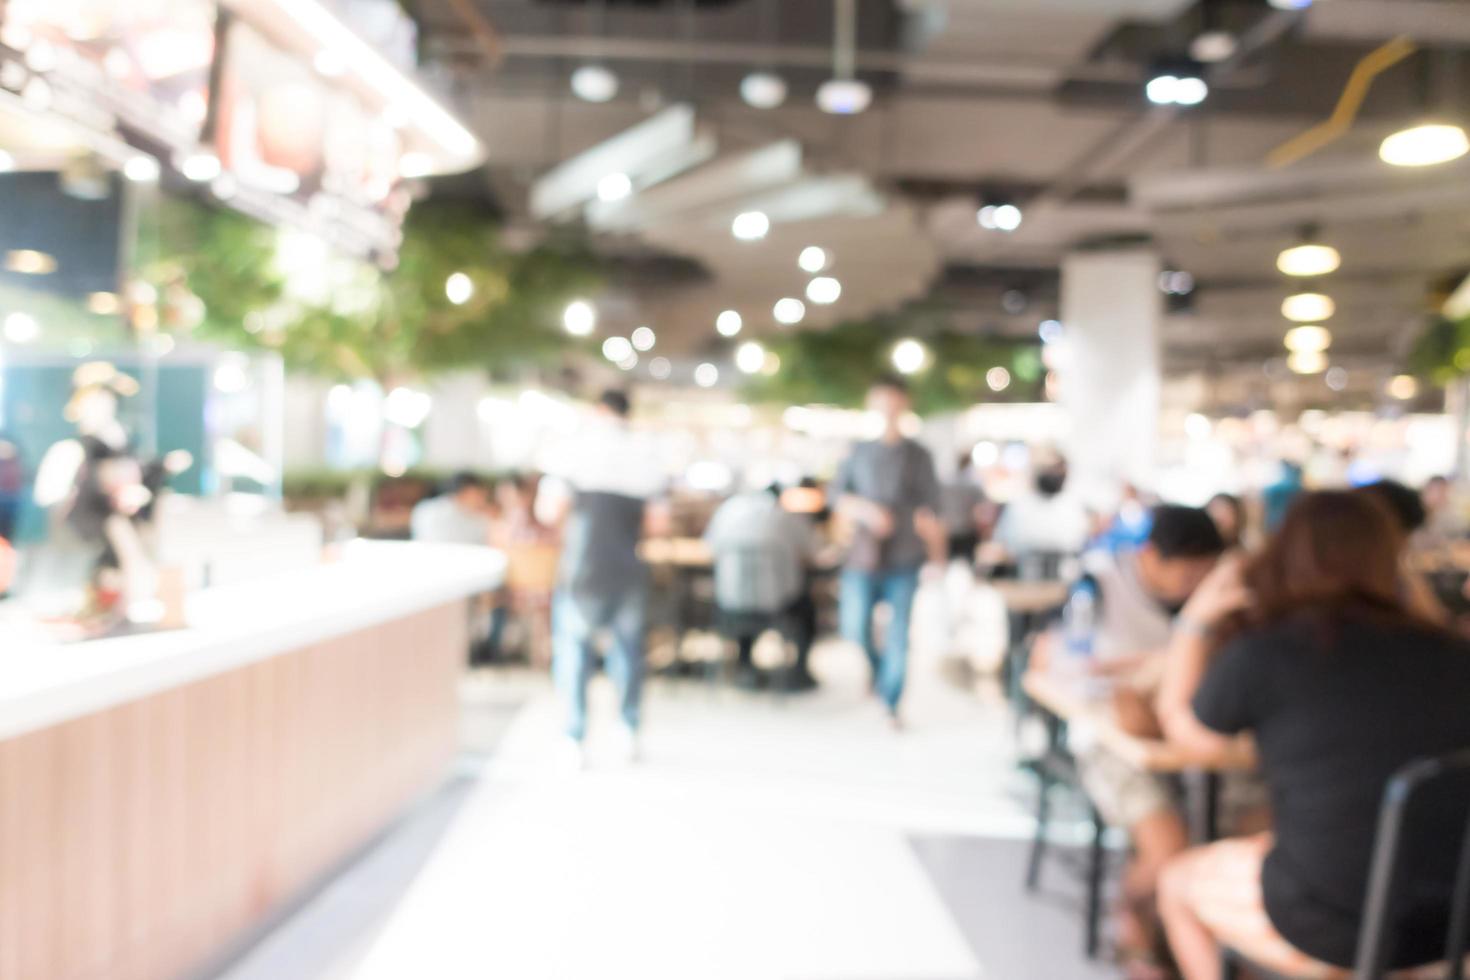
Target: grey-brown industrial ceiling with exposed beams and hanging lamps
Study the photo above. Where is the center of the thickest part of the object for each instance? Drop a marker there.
(1037, 101)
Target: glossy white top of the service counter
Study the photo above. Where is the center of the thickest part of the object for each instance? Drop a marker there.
(45, 682)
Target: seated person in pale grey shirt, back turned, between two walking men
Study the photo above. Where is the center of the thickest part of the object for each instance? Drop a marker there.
(762, 553)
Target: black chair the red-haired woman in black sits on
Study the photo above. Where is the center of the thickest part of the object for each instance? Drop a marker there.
(1427, 812)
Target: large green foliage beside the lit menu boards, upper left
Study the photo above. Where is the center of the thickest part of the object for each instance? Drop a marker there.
(345, 320)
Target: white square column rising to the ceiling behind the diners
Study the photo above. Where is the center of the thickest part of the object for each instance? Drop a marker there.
(1111, 370)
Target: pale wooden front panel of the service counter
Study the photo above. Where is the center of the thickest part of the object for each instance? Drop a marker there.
(139, 843)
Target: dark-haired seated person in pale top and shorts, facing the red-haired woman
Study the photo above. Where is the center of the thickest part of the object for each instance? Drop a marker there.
(1139, 593)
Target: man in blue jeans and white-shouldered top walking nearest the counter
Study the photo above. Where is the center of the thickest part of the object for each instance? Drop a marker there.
(606, 484)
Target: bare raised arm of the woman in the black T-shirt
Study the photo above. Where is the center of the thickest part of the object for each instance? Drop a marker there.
(1188, 662)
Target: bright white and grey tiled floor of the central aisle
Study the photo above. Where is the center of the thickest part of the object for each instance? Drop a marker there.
(759, 840)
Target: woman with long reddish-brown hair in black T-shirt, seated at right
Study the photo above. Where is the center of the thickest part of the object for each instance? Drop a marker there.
(1313, 650)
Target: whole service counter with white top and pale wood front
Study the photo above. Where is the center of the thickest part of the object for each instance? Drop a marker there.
(164, 796)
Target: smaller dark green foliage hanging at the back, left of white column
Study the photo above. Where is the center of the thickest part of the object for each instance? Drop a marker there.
(837, 368)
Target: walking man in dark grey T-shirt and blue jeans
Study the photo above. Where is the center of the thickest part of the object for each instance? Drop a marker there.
(889, 491)
